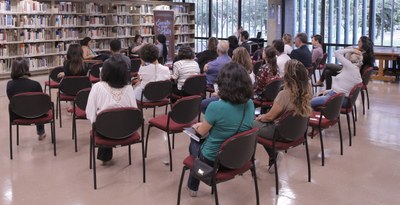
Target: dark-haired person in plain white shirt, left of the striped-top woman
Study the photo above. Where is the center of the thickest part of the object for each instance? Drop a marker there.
(150, 70)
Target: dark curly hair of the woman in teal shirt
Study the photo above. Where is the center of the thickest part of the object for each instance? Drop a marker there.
(234, 84)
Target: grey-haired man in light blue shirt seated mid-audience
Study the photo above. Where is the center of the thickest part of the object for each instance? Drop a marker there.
(213, 67)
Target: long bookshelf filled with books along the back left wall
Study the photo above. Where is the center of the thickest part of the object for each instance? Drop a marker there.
(42, 30)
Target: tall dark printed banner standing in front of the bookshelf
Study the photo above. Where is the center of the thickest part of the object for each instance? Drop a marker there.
(164, 24)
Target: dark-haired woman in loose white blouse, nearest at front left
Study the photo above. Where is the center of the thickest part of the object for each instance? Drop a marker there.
(113, 91)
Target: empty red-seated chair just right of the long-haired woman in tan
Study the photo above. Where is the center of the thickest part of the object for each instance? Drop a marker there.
(327, 116)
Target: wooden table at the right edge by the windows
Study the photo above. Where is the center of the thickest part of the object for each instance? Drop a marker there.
(384, 54)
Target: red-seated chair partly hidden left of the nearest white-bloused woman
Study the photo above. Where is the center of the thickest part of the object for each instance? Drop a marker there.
(79, 112)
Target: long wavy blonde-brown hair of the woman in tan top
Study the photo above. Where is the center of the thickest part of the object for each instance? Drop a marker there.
(296, 82)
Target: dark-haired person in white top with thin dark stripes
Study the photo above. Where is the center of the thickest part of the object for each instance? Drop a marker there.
(185, 67)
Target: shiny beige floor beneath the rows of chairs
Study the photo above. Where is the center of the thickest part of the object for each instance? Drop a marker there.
(367, 173)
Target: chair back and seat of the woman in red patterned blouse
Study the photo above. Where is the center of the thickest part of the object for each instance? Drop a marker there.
(269, 94)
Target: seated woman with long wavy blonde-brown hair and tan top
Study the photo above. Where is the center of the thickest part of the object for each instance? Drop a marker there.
(295, 96)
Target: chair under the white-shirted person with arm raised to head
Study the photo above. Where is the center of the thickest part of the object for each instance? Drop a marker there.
(351, 100)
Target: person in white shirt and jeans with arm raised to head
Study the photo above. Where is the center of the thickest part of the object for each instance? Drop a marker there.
(351, 59)
